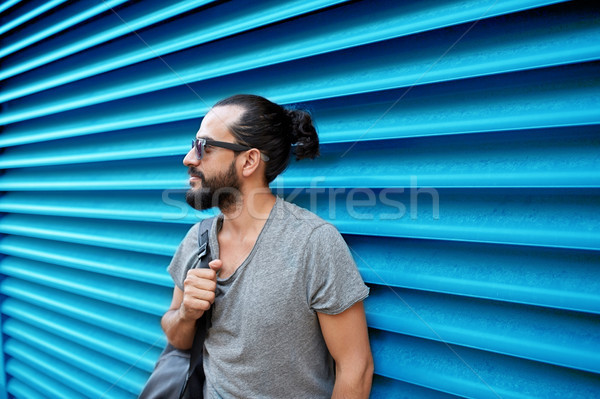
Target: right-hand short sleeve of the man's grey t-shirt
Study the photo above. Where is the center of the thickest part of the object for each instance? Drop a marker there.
(334, 281)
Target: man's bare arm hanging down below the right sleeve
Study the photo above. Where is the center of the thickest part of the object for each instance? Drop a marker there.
(348, 343)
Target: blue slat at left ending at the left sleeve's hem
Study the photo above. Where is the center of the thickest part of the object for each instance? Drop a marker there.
(130, 265)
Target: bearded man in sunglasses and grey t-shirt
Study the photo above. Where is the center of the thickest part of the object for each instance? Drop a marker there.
(287, 313)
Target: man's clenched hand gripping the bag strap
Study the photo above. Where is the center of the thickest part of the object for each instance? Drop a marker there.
(199, 289)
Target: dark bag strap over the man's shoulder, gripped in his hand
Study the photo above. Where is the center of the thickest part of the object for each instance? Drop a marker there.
(203, 323)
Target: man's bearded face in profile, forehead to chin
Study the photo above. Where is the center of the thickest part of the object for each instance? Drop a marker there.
(214, 179)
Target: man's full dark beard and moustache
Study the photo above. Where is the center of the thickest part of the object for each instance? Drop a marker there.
(222, 191)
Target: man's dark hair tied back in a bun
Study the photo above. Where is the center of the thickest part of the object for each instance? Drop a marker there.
(273, 129)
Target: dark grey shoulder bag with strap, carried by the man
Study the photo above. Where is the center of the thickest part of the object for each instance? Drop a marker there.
(169, 379)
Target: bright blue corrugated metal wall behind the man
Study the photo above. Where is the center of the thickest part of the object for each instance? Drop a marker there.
(460, 160)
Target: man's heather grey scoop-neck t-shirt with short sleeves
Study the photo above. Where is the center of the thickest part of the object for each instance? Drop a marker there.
(265, 340)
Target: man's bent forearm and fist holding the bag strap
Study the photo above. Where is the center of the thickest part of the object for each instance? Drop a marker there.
(179, 322)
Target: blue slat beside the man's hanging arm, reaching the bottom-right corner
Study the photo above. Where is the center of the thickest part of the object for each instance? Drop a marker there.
(471, 373)
